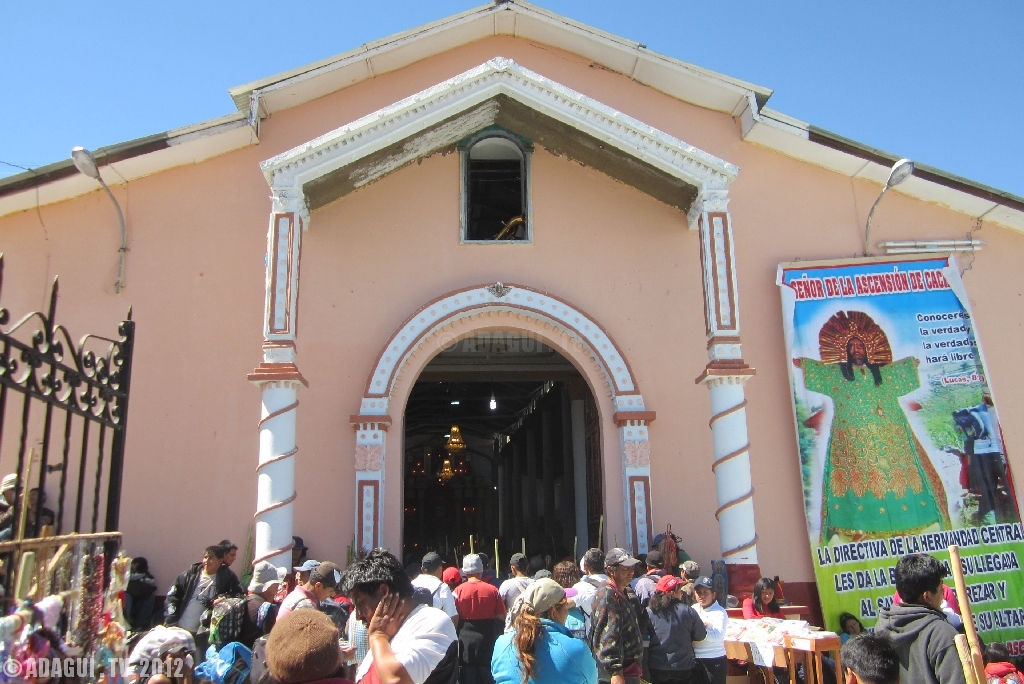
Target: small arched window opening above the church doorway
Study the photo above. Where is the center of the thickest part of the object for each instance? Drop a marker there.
(496, 207)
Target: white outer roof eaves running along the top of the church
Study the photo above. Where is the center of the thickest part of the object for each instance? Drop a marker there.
(743, 101)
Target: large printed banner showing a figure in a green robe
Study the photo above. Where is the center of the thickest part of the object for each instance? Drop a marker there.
(900, 440)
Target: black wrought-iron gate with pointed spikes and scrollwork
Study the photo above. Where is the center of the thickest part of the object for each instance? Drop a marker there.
(64, 411)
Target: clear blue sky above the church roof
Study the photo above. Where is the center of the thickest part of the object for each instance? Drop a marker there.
(940, 82)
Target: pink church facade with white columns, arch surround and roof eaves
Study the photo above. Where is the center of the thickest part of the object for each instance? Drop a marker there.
(293, 270)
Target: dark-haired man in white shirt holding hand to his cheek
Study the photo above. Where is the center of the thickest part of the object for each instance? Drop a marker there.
(408, 642)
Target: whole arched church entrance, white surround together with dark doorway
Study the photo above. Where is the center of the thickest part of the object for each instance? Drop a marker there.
(426, 366)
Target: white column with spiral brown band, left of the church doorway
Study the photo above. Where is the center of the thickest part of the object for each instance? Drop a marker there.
(279, 379)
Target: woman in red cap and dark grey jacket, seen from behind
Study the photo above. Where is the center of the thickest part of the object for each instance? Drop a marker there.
(675, 627)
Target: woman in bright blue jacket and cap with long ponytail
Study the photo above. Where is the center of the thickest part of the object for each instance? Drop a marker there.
(541, 650)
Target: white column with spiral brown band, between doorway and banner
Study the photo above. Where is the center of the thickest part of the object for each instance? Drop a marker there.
(726, 376)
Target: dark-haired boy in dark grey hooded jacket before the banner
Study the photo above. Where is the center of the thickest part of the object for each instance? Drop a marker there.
(918, 627)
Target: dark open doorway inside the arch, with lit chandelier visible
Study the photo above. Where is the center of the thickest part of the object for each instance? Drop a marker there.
(502, 445)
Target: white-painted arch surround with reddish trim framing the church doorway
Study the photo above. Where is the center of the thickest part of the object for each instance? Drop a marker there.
(463, 314)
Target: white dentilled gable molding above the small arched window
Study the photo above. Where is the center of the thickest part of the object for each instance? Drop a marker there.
(499, 76)
